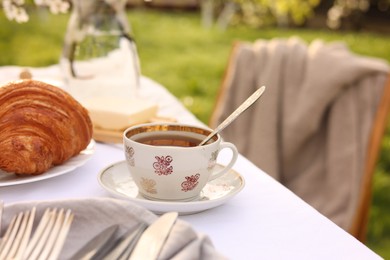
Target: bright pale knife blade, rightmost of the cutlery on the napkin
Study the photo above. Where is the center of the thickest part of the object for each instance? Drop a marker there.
(154, 237)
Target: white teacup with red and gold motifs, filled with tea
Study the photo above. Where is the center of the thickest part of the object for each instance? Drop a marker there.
(166, 163)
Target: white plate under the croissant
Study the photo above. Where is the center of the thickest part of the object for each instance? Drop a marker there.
(8, 179)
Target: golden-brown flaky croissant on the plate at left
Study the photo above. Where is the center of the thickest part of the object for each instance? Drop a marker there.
(40, 126)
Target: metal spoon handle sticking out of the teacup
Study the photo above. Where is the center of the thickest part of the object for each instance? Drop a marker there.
(244, 106)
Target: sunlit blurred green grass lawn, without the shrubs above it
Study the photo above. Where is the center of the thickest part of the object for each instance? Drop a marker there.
(189, 60)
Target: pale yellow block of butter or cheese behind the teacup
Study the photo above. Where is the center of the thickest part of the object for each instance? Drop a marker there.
(114, 113)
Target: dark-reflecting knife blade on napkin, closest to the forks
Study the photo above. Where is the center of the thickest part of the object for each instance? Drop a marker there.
(98, 245)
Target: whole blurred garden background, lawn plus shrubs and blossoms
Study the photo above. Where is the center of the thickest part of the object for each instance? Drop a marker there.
(185, 46)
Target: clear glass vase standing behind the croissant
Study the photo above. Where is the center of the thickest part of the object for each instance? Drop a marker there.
(99, 57)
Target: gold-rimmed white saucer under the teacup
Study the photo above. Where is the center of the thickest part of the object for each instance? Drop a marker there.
(116, 179)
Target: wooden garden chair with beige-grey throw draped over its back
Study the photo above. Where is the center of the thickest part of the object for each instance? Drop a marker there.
(318, 127)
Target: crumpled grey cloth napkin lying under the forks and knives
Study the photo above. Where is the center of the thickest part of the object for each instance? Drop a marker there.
(95, 214)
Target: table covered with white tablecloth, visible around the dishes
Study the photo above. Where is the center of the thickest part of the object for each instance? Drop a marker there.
(264, 221)
